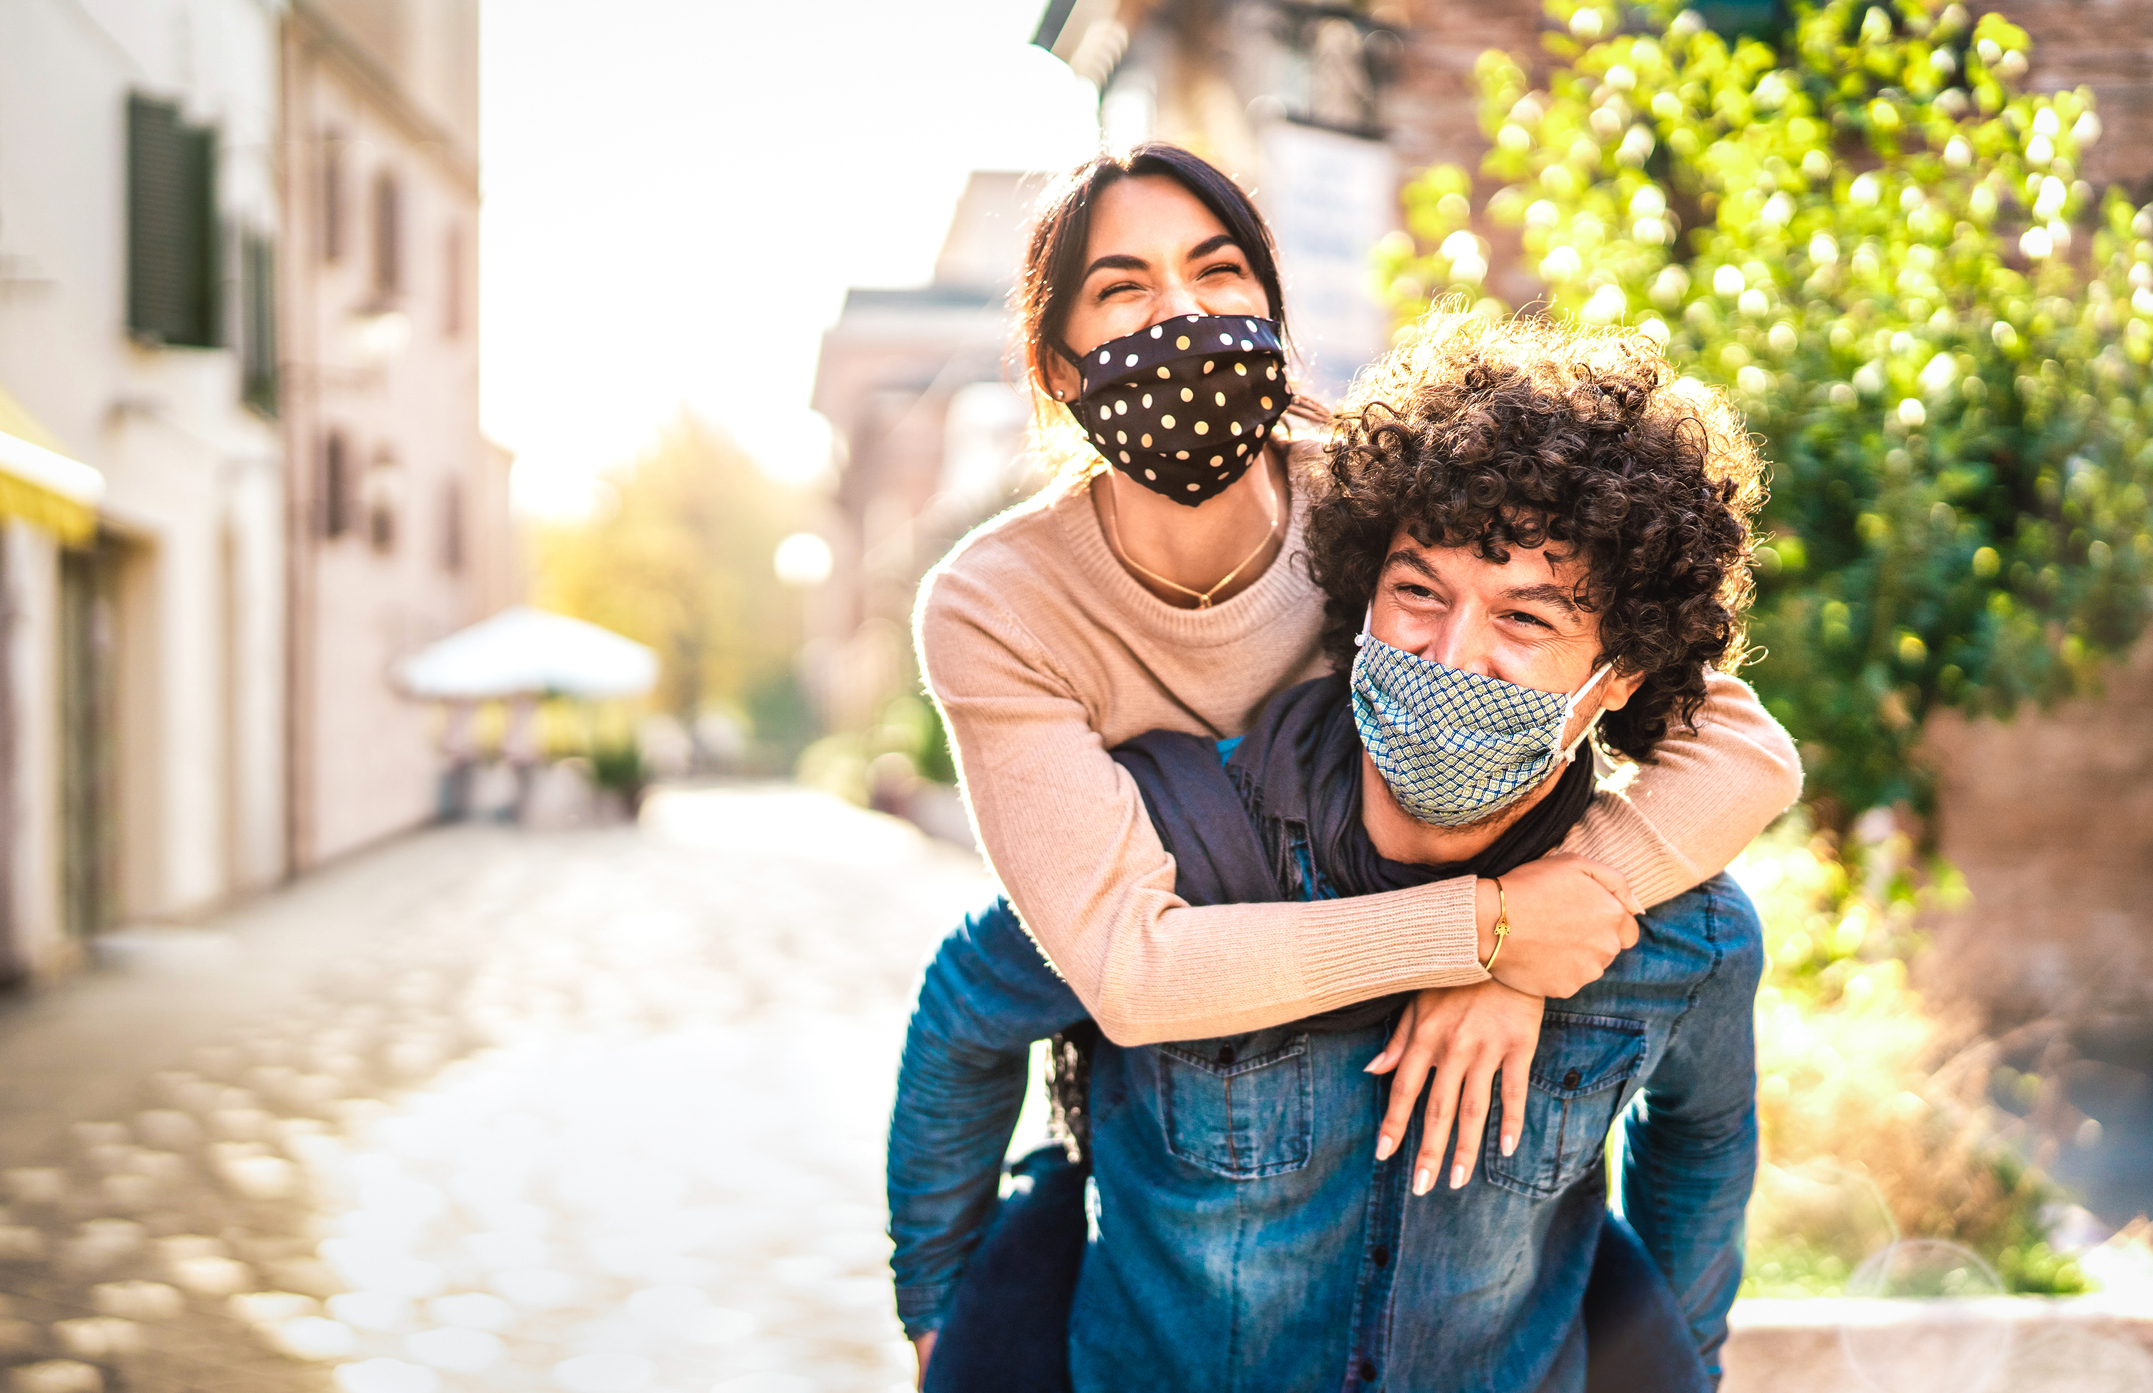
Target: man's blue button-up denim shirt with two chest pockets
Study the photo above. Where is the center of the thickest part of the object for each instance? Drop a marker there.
(1243, 1237)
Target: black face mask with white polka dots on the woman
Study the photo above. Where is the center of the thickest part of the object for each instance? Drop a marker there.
(1185, 406)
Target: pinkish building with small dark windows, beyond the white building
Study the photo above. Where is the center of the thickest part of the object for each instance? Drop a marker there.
(399, 509)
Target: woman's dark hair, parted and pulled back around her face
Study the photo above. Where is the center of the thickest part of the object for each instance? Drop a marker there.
(1063, 229)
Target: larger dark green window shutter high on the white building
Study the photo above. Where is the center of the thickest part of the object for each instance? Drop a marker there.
(173, 285)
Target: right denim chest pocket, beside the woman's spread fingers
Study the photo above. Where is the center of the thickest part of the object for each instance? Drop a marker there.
(1579, 1075)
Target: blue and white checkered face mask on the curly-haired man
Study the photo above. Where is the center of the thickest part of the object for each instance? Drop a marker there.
(1457, 748)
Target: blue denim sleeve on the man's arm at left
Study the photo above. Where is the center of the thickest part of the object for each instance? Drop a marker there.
(983, 1000)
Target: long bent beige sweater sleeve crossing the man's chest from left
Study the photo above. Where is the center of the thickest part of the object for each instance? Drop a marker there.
(1065, 832)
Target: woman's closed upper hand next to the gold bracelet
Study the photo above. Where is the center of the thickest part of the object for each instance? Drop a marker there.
(1568, 918)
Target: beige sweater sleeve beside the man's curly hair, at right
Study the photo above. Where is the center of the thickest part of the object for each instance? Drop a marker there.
(1700, 802)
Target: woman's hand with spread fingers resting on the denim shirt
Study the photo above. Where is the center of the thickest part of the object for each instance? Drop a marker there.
(1465, 1035)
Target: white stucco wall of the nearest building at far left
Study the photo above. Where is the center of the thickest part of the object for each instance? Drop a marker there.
(193, 513)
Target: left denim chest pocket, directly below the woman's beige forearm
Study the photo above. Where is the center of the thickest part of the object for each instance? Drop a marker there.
(1239, 1106)
